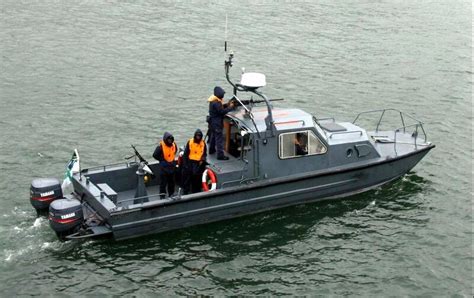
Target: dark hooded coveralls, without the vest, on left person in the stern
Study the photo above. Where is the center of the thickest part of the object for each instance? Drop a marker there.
(167, 169)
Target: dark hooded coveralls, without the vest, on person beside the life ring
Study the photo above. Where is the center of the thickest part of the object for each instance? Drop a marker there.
(193, 169)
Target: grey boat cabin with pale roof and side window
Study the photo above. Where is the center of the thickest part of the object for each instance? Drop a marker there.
(295, 142)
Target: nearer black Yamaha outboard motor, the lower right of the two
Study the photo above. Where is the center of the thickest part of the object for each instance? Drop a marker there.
(65, 216)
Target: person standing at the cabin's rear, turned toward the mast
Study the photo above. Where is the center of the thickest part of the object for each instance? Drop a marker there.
(217, 111)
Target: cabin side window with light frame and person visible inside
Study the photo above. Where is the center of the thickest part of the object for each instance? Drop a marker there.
(301, 143)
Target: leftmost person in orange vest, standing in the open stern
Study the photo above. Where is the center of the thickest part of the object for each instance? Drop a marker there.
(165, 153)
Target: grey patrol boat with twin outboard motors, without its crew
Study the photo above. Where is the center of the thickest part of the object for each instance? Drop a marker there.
(278, 157)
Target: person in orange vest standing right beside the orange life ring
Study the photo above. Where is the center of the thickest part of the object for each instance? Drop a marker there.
(194, 160)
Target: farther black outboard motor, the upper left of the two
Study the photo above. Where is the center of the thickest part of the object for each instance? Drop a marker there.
(43, 191)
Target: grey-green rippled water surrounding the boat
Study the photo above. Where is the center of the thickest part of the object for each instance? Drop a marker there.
(100, 75)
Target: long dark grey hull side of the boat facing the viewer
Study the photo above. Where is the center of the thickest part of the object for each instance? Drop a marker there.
(260, 196)
